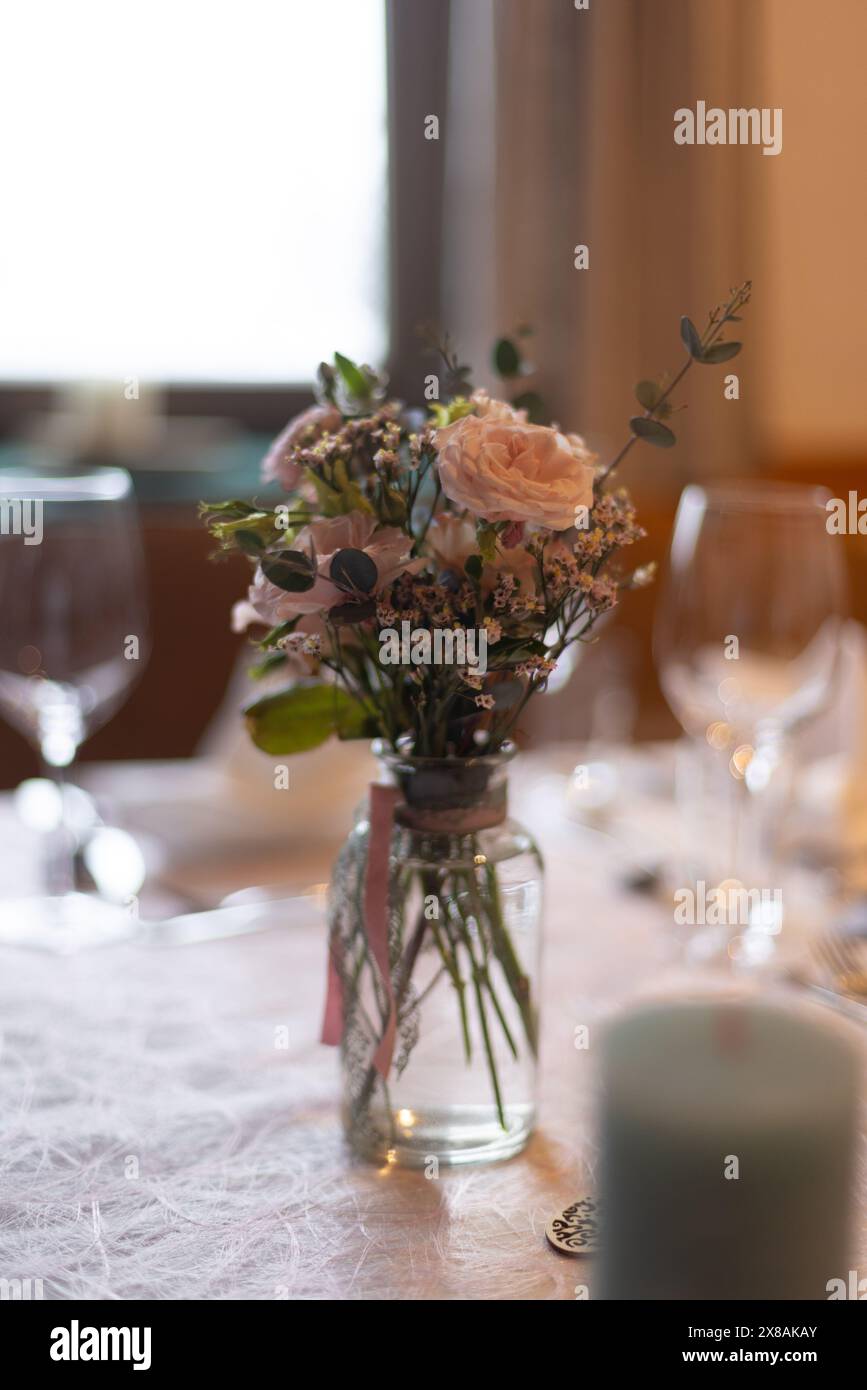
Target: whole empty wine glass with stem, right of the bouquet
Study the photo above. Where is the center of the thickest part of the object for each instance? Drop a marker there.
(747, 646)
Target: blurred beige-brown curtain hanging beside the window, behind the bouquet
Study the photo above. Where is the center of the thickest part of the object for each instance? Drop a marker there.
(561, 133)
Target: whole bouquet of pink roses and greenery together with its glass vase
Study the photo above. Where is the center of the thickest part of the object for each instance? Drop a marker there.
(419, 582)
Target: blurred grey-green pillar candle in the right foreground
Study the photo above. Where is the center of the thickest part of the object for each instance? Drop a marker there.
(726, 1153)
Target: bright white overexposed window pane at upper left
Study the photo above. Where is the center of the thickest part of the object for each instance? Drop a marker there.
(191, 191)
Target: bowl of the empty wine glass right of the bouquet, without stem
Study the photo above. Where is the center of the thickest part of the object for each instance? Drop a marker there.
(748, 629)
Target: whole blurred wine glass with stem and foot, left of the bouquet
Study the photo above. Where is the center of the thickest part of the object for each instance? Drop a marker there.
(73, 643)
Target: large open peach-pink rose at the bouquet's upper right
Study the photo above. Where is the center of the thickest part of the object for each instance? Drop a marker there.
(508, 471)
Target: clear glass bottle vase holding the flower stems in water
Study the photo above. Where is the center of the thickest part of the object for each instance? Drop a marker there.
(463, 906)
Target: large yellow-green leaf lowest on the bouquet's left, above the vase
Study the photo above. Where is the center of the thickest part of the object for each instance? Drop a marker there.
(304, 717)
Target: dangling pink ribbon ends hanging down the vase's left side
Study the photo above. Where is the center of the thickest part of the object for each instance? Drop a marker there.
(383, 801)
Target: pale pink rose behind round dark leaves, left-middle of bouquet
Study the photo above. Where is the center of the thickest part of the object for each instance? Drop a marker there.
(387, 547)
